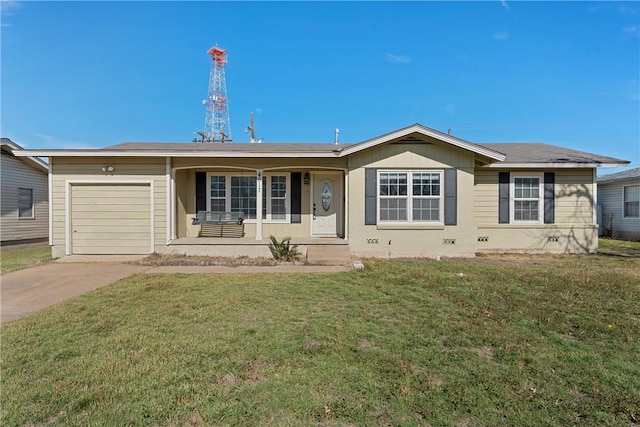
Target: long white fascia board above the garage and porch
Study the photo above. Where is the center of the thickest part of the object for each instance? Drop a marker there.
(51, 153)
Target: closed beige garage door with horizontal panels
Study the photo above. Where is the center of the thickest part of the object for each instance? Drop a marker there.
(110, 219)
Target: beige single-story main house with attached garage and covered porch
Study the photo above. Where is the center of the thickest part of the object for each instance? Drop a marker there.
(411, 192)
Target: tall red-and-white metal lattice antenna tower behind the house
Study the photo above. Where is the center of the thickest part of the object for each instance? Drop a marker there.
(217, 126)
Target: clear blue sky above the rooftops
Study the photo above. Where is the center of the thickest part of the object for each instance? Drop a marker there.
(92, 74)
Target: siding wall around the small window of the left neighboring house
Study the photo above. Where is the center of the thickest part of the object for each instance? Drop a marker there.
(17, 174)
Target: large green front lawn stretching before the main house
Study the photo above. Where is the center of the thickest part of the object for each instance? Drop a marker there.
(495, 340)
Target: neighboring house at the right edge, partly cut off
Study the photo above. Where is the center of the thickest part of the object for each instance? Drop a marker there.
(619, 204)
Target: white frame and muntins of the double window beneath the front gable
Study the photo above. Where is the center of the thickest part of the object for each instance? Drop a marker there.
(409, 197)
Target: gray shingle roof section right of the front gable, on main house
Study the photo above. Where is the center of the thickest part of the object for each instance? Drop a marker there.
(545, 153)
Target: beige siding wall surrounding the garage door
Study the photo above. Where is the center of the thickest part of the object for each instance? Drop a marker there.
(89, 171)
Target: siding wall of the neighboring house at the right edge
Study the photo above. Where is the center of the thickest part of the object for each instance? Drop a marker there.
(610, 198)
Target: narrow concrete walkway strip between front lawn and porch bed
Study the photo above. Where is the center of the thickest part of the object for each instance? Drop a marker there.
(269, 269)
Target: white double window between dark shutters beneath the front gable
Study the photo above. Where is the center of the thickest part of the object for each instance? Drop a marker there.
(409, 196)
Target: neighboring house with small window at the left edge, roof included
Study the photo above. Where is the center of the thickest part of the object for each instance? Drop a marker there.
(25, 197)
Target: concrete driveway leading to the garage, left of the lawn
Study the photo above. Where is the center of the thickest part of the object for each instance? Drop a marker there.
(32, 289)
